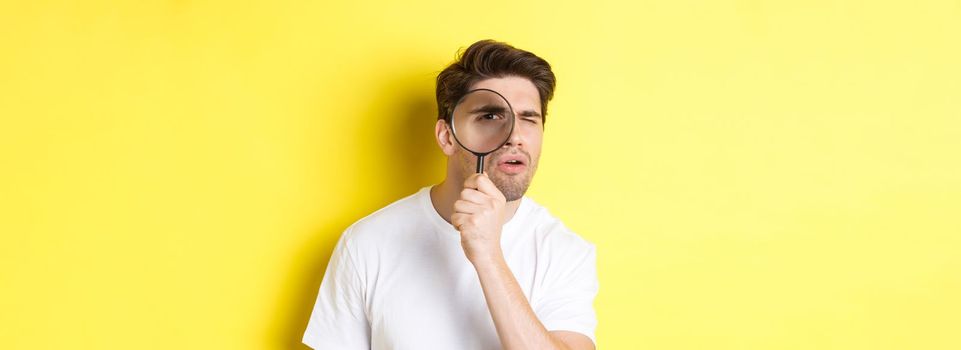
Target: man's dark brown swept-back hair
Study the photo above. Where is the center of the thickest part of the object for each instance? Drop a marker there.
(491, 59)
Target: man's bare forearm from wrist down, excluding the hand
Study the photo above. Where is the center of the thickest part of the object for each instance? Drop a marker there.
(517, 325)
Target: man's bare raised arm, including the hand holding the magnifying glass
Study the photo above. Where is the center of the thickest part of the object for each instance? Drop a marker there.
(478, 215)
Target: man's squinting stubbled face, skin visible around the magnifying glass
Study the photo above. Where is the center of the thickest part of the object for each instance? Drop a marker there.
(512, 167)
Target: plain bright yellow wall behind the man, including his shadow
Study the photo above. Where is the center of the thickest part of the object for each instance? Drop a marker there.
(755, 175)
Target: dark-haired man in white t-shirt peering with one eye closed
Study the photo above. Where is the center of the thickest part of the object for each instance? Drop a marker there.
(470, 263)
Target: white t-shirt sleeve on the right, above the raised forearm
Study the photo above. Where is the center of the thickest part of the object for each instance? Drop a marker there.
(568, 303)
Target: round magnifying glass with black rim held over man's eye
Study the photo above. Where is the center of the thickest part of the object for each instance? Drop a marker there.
(482, 122)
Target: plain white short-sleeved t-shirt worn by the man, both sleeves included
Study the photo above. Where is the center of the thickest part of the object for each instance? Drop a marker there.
(399, 279)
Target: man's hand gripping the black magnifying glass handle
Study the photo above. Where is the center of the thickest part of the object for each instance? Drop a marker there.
(479, 215)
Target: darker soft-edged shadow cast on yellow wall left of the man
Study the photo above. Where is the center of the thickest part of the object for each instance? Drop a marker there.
(407, 159)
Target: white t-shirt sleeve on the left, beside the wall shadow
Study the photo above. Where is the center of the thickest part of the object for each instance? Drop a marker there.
(339, 320)
